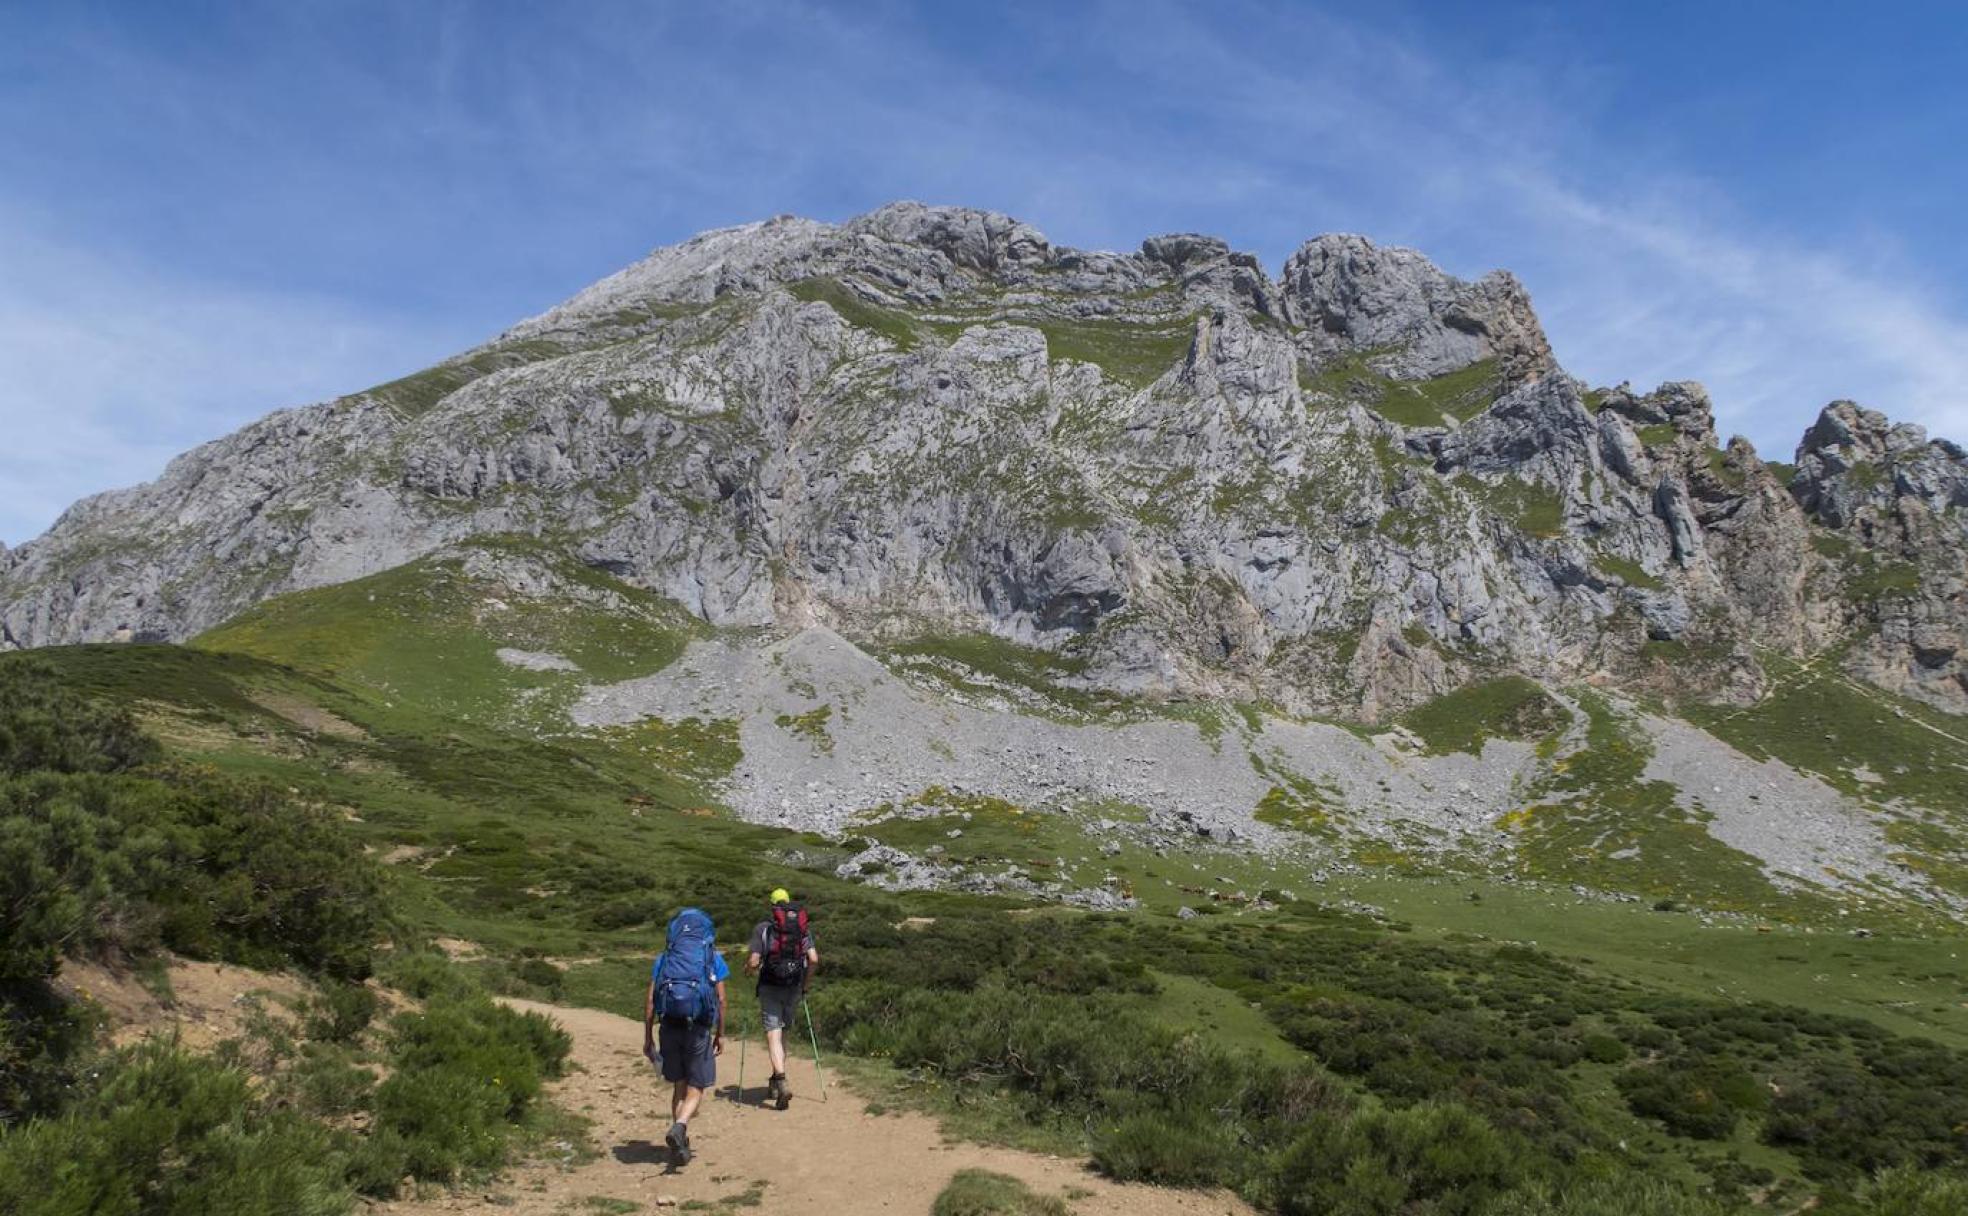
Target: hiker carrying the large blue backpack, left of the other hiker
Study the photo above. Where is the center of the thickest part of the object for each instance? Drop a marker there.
(688, 997)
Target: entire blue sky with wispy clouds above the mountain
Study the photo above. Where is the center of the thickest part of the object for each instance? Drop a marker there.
(210, 212)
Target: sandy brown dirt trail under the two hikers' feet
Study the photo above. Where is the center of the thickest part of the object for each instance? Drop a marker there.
(816, 1160)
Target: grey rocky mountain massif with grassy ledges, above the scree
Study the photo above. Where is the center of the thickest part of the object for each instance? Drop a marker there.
(1347, 489)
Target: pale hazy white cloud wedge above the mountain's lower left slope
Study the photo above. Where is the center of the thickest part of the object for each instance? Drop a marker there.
(107, 371)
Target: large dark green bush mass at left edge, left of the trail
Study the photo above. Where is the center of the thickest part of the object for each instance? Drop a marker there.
(105, 849)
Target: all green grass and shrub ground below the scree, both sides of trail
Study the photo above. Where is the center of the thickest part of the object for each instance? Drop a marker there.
(1392, 1042)
